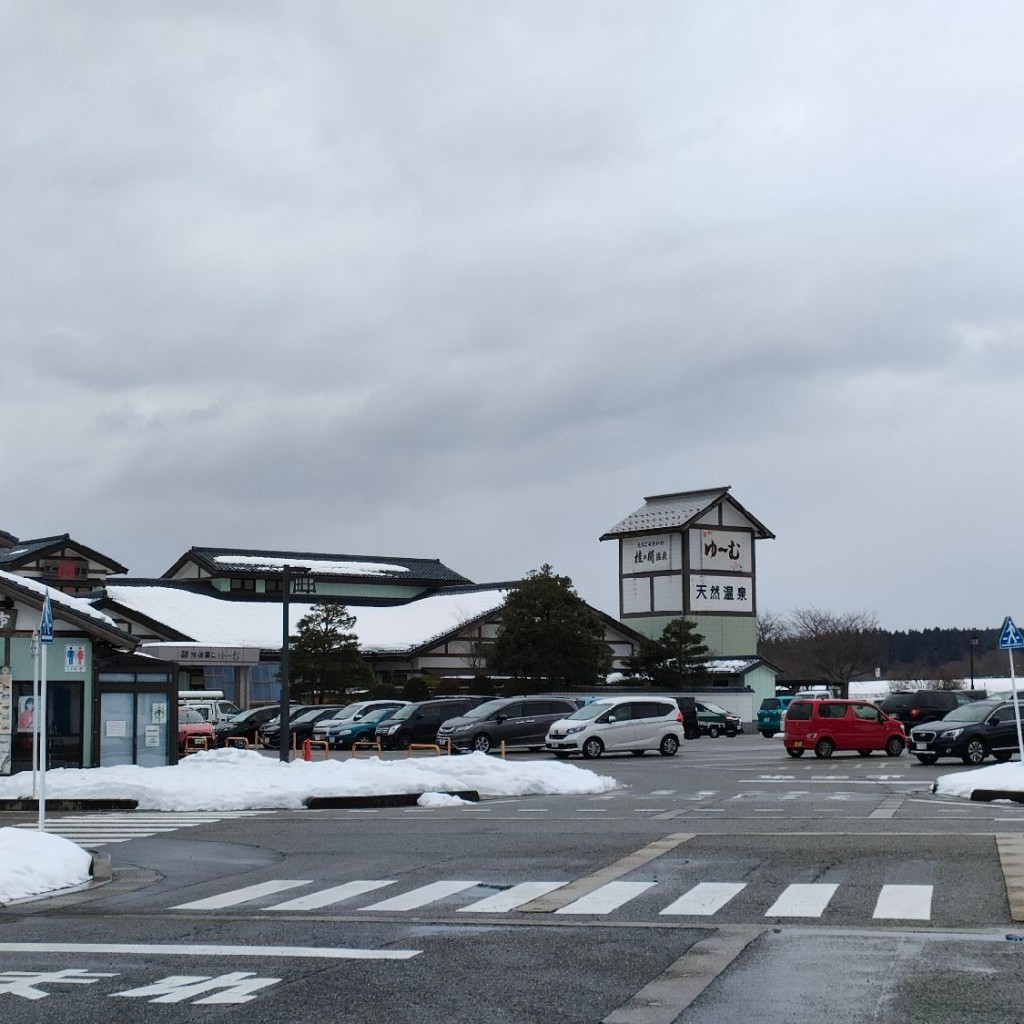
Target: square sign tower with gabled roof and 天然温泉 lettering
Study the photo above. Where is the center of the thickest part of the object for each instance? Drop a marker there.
(692, 556)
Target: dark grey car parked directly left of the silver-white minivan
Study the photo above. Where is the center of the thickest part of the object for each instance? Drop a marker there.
(517, 721)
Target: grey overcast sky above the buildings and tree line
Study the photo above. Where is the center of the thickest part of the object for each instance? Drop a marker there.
(468, 280)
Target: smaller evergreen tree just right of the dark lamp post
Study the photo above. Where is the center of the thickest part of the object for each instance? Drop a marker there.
(325, 656)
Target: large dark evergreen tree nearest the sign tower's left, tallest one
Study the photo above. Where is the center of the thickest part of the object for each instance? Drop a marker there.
(549, 634)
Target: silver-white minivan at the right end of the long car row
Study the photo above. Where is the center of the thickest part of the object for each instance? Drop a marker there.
(612, 724)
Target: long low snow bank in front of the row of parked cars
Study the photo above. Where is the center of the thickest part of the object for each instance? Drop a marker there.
(233, 780)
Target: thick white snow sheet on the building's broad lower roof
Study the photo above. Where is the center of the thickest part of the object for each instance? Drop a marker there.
(226, 623)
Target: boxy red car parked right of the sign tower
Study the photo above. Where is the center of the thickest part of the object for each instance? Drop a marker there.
(826, 727)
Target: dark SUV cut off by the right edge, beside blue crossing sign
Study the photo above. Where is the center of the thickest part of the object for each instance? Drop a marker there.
(970, 733)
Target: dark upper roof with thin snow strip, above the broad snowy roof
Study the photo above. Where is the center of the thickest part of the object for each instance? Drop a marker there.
(255, 562)
